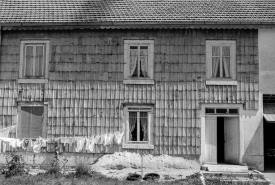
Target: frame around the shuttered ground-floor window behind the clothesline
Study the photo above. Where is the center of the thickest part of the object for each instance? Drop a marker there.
(44, 122)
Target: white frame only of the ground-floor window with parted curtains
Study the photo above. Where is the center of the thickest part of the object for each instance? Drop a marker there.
(127, 144)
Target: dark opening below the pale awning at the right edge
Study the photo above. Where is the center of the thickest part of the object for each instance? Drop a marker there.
(269, 146)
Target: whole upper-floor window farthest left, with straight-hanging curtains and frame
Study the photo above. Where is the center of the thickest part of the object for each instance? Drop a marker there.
(34, 59)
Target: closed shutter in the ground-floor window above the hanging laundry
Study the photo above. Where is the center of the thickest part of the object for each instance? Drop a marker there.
(31, 122)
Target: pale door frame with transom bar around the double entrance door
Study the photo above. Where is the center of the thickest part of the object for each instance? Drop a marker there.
(241, 126)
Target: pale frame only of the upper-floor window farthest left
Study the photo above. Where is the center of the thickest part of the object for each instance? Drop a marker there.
(46, 50)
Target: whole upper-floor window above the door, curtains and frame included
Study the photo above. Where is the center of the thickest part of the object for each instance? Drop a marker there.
(221, 61)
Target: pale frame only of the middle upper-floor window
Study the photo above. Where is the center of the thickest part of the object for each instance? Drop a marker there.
(138, 80)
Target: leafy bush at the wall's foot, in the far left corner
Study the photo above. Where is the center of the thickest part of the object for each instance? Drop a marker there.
(15, 166)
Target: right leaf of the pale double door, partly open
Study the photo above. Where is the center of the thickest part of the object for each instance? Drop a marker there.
(231, 138)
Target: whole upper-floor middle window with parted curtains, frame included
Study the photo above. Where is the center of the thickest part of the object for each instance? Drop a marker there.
(138, 61)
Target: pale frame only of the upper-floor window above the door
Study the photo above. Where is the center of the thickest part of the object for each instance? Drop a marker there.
(210, 80)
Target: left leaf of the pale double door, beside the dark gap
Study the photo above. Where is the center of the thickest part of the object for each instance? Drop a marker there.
(211, 139)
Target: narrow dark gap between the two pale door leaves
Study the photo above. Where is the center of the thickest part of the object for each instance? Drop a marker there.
(220, 139)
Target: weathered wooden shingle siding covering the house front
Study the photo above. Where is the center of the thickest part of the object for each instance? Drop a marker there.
(85, 93)
